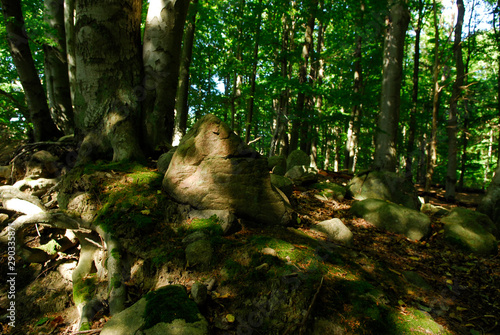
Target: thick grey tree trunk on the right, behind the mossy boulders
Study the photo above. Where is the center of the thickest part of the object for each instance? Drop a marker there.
(388, 120)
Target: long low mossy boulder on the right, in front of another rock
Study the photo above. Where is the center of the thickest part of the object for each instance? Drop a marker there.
(392, 217)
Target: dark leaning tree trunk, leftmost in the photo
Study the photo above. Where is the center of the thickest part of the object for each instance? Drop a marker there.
(44, 128)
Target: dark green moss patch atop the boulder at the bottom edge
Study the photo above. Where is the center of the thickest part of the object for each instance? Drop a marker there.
(168, 304)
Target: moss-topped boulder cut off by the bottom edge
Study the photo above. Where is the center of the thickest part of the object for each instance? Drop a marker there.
(166, 311)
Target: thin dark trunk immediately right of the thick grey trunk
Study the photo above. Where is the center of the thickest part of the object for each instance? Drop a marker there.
(410, 148)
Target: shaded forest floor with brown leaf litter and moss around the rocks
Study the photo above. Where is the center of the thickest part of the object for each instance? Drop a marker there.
(355, 287)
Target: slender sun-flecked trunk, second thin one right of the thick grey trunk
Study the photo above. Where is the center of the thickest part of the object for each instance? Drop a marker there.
(432, 154)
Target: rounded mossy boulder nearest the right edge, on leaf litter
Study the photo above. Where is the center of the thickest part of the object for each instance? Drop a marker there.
(470, 231)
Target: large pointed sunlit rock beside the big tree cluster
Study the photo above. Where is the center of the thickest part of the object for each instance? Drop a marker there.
(214, 169)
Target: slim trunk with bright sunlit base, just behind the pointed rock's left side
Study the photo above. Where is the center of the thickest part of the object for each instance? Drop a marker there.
(181, 103)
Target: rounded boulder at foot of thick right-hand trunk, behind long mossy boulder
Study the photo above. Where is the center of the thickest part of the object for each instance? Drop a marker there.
(385, 186)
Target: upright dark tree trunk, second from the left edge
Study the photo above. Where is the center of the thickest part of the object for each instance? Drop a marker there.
(56, 68)
